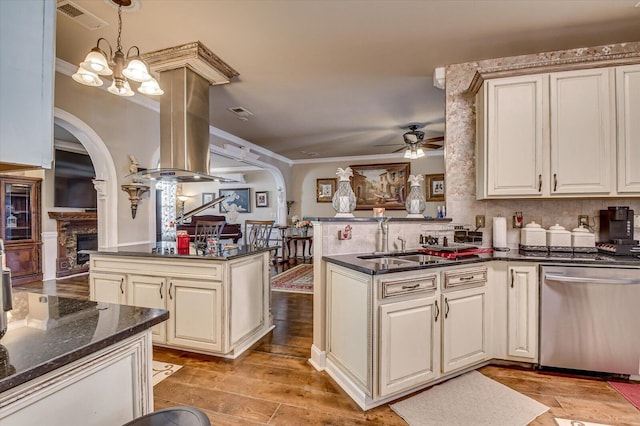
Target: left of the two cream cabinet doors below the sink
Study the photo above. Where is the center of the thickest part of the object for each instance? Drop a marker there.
(409, 344)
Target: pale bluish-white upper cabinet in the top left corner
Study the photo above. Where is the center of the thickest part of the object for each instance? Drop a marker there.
(27, 43)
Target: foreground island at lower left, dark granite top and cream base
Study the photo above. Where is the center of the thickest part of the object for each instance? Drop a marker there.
(67, 361)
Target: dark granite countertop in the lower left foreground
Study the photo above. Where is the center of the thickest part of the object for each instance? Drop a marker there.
(48, 332)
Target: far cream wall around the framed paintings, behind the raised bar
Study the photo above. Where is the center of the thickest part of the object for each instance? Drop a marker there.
(304, 176)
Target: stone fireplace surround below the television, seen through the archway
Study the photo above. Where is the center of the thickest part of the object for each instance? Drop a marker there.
(69, 226)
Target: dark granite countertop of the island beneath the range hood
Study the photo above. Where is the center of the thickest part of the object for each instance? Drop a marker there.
(169, 250)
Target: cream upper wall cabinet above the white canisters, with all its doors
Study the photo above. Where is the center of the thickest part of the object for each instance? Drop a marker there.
(554, 134)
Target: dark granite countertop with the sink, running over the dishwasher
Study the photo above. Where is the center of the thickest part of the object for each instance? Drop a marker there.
(374, 267)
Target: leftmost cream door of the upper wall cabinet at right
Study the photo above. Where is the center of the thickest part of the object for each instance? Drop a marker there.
(514, 125)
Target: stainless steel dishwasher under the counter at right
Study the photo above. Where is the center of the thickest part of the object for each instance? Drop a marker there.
(590, 319)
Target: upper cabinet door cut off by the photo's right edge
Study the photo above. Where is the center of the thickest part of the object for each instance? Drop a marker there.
(628, 99)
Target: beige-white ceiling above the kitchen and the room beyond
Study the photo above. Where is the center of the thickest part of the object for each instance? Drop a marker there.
(337, 77)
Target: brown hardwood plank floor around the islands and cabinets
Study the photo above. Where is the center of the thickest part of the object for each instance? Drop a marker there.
(273, 383)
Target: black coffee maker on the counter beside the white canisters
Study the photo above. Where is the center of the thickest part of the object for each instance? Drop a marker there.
(616, 229)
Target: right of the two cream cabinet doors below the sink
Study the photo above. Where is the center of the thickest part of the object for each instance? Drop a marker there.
(464, 332)
